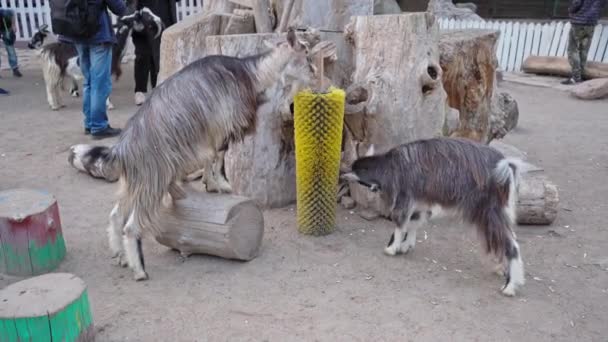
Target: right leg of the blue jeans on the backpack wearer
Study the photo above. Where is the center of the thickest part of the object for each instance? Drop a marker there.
(101, 86)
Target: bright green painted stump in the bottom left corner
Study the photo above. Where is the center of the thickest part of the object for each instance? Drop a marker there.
(50, 307)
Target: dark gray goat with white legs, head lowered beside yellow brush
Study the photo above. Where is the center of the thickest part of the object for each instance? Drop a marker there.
(475, 182)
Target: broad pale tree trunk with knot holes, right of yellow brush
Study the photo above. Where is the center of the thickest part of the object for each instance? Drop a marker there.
(396, 102)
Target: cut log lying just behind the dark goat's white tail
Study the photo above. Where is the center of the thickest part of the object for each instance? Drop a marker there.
(538, 200)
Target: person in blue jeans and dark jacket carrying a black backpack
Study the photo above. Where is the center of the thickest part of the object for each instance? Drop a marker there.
(95, 56)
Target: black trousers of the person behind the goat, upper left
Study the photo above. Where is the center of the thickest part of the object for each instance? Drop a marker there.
(147, 61)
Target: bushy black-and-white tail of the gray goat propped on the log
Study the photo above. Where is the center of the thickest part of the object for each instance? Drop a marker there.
(97, 161)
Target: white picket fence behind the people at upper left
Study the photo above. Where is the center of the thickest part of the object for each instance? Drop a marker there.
(33, 13)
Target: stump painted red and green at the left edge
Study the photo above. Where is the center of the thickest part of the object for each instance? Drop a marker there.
(31, 239)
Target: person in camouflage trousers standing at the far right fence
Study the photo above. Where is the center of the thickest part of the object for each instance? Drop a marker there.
(584, 15)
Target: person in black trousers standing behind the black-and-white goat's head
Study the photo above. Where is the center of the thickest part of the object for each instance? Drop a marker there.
(147, 50)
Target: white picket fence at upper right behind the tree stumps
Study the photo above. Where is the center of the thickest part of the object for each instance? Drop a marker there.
(518, 40)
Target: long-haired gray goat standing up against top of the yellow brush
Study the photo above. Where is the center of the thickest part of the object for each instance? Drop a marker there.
(187, 121)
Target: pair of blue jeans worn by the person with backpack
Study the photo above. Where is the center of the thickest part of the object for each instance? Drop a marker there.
(96, 66)
